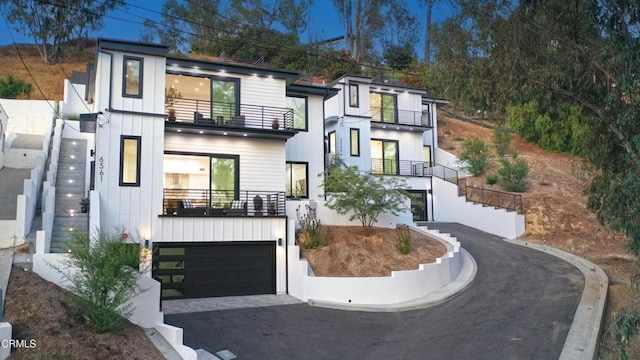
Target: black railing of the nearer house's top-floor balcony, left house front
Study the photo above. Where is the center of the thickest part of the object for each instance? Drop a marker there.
(220, 114)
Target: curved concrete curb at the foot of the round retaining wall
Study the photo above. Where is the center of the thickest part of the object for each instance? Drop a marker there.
(464, 279)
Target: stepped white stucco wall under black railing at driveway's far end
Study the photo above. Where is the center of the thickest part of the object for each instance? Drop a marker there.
(449, 207)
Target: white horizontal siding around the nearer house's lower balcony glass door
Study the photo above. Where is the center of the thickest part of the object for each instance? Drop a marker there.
(262, 162)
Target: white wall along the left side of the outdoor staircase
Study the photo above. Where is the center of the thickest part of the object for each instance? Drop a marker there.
(48, 205)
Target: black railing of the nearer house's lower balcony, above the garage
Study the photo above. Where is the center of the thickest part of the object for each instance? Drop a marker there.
(205, 202)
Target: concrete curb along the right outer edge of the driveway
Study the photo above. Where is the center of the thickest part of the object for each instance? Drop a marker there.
(584, 335)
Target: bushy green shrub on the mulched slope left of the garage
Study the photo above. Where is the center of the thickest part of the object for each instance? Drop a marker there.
(104, 280)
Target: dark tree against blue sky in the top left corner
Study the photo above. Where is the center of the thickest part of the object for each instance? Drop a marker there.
(52, 24)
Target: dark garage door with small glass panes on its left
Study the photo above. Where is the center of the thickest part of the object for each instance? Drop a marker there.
(195, 270)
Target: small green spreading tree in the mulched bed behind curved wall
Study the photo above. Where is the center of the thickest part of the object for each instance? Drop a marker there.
(365, 195)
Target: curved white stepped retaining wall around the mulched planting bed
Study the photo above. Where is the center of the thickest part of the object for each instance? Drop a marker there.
(400, 287)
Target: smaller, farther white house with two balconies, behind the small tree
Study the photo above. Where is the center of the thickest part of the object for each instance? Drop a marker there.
(387, 130)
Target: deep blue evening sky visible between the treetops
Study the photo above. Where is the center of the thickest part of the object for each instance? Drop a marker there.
(325, 21)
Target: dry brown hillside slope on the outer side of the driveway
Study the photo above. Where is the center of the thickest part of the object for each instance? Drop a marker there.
(556, 214)
